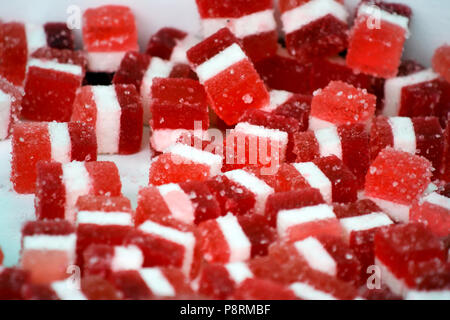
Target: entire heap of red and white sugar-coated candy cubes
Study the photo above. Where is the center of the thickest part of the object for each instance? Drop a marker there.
(318, 168)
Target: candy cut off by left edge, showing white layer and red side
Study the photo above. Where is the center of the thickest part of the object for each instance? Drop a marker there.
(10, 105)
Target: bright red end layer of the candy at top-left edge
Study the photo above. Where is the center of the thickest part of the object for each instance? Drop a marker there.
(13, 52)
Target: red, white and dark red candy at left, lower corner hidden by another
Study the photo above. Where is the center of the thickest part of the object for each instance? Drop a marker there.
(38, 141)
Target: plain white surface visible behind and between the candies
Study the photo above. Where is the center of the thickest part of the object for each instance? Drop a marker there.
(430, 28)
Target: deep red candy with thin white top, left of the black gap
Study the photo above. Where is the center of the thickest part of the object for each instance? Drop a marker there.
(50, 89)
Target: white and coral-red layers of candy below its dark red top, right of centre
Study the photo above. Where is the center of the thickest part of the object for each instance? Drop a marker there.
(301, 223)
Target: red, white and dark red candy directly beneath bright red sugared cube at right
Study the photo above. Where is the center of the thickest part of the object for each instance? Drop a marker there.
(350, 143)
